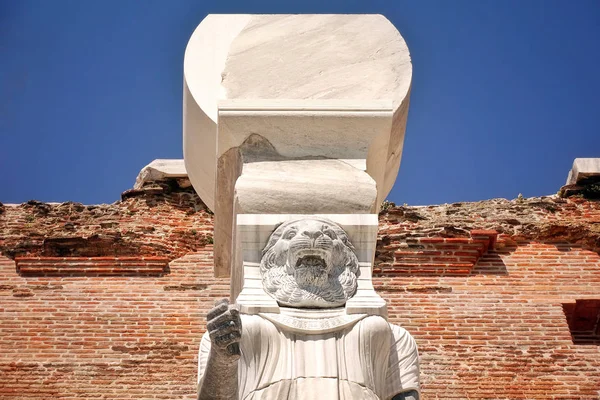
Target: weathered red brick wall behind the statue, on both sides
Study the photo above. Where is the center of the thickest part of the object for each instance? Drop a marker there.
(497, 331)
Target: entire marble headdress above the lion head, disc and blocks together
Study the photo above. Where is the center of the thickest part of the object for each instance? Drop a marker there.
(311, 86)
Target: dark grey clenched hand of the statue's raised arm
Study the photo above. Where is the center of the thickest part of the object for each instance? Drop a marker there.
(225, 330)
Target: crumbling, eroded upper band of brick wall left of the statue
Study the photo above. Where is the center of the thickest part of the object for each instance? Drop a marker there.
(160, 220)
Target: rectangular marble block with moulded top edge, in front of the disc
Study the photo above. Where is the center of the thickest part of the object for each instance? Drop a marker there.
(306, 127)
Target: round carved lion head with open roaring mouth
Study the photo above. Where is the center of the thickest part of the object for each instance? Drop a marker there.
(309, 263)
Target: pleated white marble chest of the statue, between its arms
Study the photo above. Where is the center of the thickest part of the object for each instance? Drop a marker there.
(337, 364)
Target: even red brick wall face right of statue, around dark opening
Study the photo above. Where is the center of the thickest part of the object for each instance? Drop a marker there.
(500, 332)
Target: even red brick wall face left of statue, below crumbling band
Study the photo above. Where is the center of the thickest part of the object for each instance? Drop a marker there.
(105, 337)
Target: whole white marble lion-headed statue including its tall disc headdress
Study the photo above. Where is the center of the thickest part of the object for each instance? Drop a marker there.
(293, 132)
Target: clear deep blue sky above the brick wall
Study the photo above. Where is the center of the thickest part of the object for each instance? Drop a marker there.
(505, 93)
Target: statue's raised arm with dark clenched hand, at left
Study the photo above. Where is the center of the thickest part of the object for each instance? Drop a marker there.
(220, 378)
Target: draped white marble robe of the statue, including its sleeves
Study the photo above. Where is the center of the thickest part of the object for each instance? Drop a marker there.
(367, 358)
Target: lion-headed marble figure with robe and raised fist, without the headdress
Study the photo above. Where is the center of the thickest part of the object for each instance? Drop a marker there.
(311, 349)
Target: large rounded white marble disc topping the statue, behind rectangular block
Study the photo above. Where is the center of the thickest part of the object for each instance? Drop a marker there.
(359, 58)
